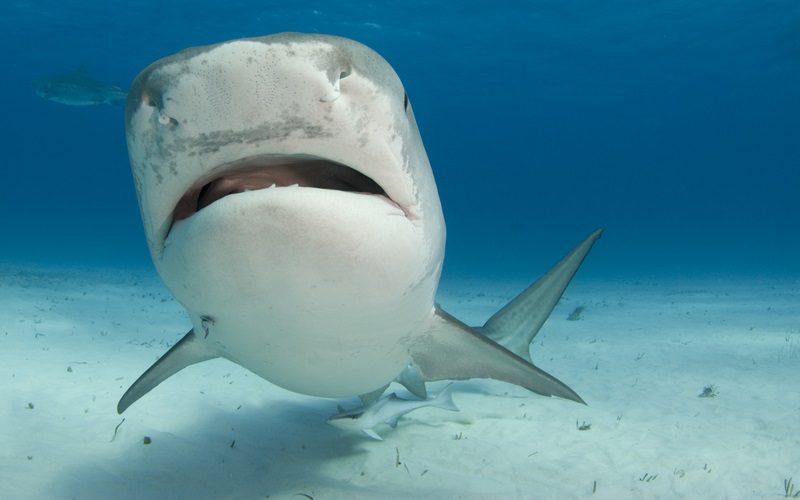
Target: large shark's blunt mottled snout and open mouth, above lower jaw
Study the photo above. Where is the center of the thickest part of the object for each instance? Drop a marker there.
(314, 110)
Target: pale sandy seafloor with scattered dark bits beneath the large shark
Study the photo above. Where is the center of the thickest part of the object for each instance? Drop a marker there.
(71, 342)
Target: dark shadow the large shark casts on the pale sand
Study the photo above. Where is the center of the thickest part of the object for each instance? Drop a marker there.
(280, 451)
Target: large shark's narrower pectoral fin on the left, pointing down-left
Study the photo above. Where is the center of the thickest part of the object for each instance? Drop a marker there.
(188, 351)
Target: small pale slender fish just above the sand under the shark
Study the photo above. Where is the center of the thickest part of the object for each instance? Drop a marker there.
(388, 410)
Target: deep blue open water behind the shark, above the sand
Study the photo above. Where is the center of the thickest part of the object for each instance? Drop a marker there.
(673, 124)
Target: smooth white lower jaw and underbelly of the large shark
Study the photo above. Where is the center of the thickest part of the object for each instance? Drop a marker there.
(314, 290)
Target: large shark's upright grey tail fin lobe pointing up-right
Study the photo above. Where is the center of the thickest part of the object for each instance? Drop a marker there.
(517, 323)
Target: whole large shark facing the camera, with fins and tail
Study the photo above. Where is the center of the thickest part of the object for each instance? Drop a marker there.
(289, 205)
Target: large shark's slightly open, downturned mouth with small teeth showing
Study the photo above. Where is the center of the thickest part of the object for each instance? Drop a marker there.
(266, 172)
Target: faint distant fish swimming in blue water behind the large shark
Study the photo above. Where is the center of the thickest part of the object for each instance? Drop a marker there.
(78, 88)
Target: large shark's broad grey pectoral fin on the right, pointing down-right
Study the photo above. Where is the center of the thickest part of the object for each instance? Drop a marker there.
(453, 350)
